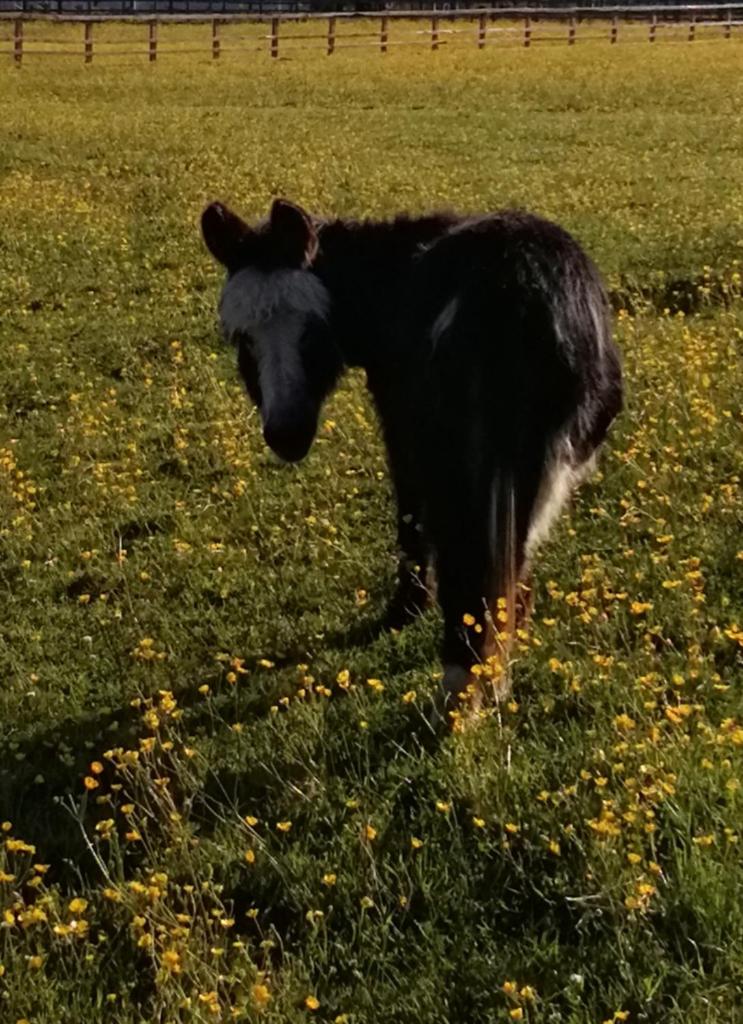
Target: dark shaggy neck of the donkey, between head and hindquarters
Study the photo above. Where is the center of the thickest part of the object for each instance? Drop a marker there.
(367, 268)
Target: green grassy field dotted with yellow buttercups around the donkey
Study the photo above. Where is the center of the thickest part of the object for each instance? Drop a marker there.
(217, 800)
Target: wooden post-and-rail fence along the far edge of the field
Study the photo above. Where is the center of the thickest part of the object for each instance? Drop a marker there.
(279, 36)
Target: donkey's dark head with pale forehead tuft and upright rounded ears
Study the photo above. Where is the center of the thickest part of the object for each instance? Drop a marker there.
(277, 310)
